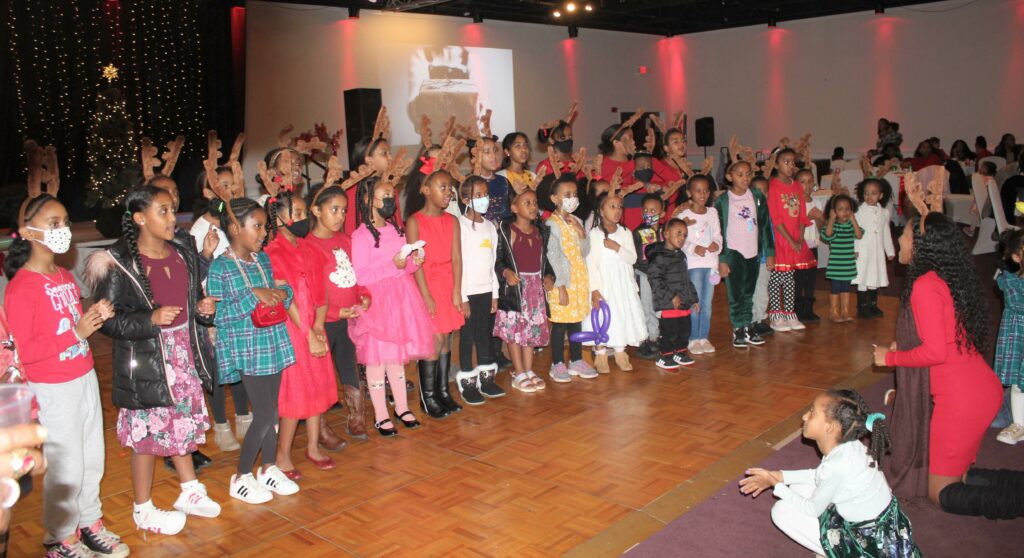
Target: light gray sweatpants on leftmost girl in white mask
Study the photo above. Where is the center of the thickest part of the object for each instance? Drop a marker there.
(74, 453)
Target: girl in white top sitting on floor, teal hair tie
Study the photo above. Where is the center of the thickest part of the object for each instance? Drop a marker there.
(844, 508)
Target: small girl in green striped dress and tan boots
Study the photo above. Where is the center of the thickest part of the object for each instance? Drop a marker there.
(841, 232)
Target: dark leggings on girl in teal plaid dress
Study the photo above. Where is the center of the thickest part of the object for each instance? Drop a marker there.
(263, 435)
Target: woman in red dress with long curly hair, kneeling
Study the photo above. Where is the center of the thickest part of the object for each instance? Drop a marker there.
(951, 315)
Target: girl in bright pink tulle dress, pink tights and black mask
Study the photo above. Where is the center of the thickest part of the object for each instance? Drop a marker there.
(383, 344)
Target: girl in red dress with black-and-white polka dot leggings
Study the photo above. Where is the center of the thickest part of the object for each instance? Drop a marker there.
(789, 216)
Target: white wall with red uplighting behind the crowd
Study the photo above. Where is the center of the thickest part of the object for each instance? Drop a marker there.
(937, 69)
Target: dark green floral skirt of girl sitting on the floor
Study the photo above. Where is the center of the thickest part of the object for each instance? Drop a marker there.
(888, 536)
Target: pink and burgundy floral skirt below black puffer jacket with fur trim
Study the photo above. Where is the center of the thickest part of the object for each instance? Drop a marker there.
(175, 431)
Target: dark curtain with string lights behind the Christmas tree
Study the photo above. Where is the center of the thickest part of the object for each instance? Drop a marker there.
(177, 69)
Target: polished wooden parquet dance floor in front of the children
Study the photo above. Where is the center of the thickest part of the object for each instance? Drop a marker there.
(585, 469)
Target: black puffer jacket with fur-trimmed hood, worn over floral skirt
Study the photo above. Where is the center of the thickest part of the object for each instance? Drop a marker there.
(140, 378)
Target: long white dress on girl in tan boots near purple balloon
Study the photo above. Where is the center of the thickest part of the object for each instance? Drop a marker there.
(612, 274)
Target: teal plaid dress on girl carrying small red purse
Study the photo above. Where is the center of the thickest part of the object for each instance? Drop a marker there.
(243, 349)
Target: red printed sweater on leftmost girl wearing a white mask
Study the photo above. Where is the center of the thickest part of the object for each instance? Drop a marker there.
(42, 312)
